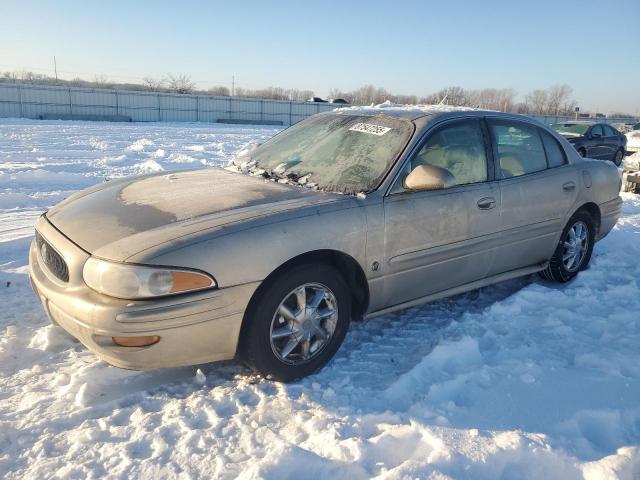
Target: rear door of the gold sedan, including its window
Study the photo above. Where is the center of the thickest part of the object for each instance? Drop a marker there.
(537, 189)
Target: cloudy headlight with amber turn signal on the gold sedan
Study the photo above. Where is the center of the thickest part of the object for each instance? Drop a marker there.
(129, 281)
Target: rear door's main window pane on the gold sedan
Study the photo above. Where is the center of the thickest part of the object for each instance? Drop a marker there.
(519, 149)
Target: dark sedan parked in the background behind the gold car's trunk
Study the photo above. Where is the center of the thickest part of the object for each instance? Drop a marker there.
(594, 140)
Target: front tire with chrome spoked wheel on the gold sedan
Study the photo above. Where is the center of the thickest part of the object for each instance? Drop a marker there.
(297, 322)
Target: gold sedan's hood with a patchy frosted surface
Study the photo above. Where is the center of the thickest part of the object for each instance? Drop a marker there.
(121, 218)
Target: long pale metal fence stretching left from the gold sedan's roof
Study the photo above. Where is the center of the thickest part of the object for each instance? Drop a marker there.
(43, 101)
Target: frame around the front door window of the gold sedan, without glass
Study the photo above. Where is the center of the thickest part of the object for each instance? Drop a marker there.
(397, 185)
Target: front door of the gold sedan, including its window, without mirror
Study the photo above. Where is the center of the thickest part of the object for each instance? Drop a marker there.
(440, 239)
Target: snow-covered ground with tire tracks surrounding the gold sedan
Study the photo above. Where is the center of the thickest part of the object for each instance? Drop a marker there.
(525, 379)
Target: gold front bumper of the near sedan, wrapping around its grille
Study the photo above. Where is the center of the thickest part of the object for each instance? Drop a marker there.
(193, 328)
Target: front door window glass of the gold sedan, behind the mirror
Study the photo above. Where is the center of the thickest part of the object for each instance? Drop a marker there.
(458, 148)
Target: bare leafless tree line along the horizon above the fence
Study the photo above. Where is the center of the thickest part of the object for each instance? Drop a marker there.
(555, 100)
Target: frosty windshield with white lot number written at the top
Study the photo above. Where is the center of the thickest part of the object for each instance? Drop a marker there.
(336, 152)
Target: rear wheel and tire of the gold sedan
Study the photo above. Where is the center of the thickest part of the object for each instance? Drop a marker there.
(574, 249)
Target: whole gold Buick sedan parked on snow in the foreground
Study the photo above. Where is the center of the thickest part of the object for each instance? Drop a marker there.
(347, 214)
